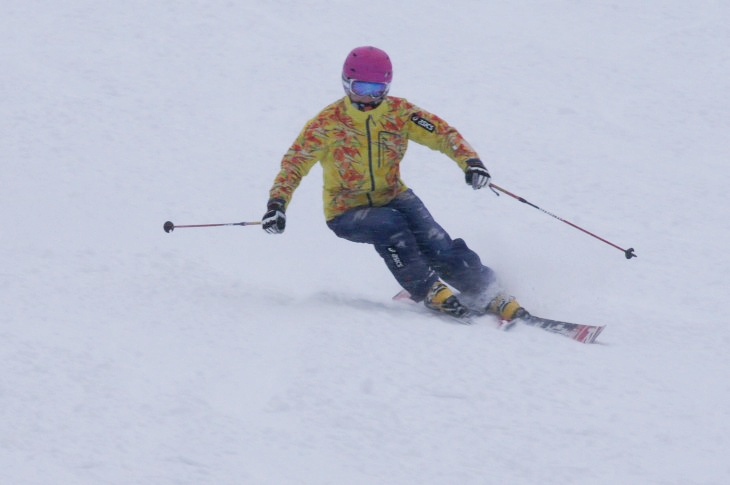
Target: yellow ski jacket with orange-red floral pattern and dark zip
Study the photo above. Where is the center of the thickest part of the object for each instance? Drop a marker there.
(361, 151)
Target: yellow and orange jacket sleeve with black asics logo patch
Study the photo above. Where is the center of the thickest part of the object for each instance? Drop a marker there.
(430, 130)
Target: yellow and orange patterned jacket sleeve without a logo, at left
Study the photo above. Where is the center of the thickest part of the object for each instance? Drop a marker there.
(306, 150)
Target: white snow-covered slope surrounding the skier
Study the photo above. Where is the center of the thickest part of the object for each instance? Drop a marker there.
(229, 356)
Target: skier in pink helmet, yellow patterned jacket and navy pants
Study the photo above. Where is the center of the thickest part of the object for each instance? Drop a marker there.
(360, 141)
